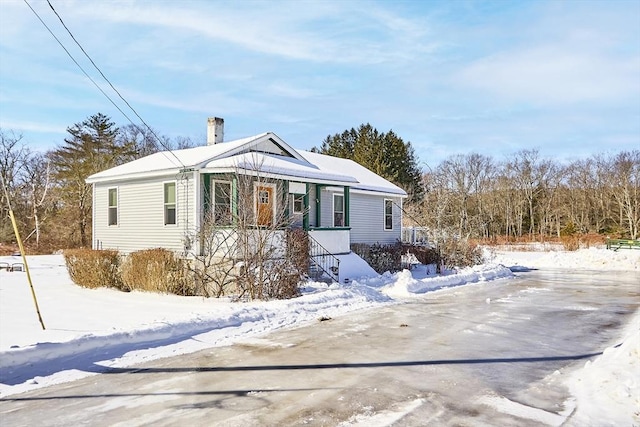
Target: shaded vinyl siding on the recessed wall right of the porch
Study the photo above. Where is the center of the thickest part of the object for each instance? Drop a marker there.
(367, 219)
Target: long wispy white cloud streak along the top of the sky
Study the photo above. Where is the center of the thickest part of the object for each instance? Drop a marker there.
(322, 32)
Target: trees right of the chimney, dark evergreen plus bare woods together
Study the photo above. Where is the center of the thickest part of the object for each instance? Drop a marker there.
(525, 195)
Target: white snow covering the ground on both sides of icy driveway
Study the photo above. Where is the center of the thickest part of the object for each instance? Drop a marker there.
(89, 330)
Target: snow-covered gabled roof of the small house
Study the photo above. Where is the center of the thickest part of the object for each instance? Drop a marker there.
(265, 153)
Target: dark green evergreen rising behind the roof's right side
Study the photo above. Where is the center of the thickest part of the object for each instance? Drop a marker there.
(383, 153)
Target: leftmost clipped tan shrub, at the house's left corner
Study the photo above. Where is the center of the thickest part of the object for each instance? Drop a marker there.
(93, 269)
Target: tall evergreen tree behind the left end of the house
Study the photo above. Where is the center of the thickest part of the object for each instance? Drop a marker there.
(92, 146)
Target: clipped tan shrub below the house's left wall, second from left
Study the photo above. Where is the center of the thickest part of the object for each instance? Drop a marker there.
(156, 270)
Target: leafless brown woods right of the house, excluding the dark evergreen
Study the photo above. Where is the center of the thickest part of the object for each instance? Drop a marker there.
(475, 196)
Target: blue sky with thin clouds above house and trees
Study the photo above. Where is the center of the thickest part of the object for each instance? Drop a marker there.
(451, 77)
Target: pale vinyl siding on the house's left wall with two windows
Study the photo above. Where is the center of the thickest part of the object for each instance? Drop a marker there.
(141, 216)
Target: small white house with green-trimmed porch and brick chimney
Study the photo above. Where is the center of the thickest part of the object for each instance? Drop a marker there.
(159, 200)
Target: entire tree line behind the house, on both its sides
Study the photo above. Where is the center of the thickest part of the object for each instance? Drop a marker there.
(466, 195)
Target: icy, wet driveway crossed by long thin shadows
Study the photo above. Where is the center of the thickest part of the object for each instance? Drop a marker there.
(487, 354)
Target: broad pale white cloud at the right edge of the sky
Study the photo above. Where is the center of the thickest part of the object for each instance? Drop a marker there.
(554, 75)
